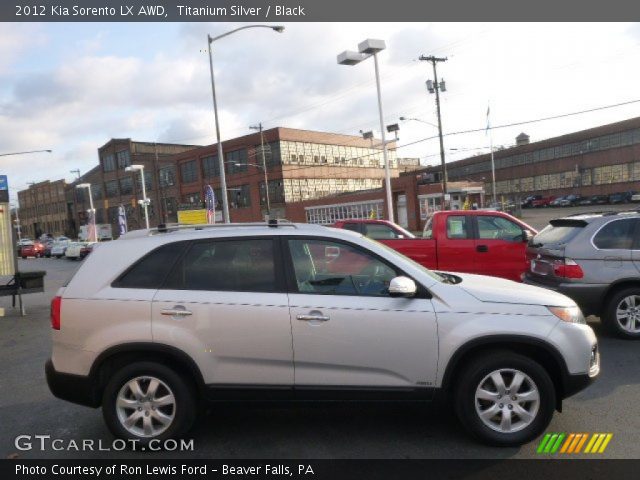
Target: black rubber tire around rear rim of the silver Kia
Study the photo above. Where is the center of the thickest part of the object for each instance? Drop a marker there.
(182, 390)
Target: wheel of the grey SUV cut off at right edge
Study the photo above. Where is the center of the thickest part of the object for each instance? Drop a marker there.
(622, 314)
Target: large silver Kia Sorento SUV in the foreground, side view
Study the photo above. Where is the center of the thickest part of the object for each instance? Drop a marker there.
(157, 321)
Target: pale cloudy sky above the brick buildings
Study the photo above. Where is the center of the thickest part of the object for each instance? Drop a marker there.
(72, 87)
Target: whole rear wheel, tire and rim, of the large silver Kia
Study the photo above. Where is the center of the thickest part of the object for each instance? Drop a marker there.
(147, 401)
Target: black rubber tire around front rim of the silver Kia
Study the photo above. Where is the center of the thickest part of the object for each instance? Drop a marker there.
(472, 376)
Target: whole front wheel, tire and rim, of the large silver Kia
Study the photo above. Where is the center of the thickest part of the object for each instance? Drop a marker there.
(505, 399)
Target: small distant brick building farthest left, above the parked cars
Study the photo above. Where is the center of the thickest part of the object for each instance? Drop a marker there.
(43, 209)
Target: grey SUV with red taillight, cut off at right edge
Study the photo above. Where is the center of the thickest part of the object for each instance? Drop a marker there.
(595, 260)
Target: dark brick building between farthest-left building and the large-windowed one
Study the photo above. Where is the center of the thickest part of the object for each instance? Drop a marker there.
(112, 186)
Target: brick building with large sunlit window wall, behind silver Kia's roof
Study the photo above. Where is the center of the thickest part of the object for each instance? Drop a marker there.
(301, 165)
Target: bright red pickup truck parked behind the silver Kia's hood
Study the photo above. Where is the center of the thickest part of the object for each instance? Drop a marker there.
(470, 241)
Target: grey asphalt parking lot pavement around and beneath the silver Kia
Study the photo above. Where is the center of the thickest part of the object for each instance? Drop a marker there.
(290, 431)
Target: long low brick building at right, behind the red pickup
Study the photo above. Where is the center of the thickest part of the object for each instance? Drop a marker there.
(597, 161)
